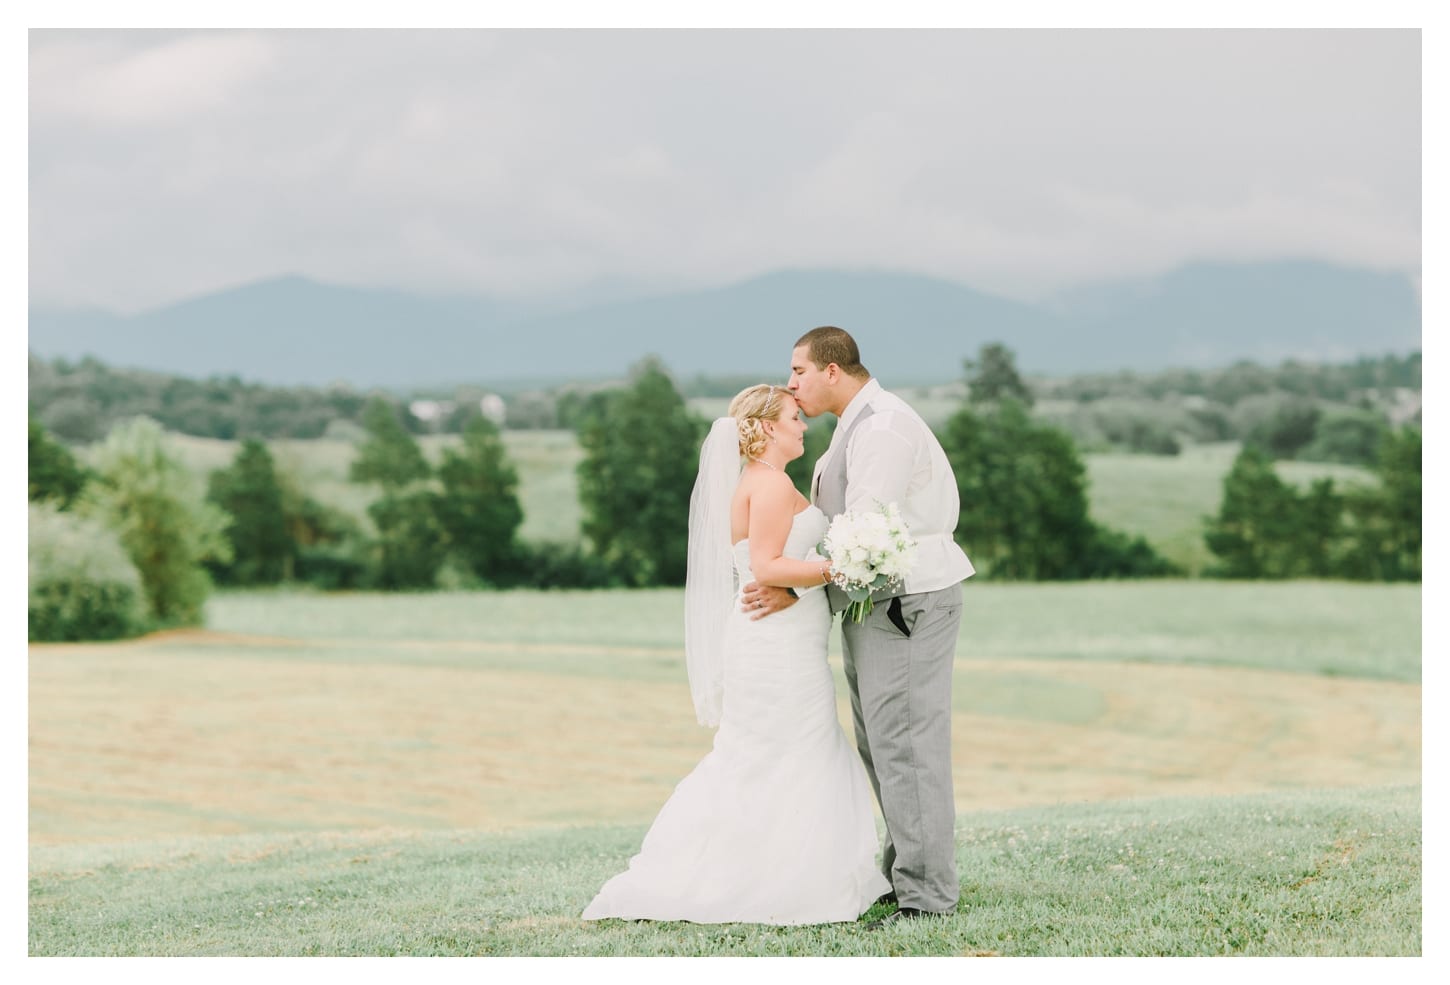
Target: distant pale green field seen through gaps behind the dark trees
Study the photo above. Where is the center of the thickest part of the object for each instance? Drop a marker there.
(1161, 498)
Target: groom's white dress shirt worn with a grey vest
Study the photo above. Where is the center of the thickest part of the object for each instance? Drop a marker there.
(894, 458)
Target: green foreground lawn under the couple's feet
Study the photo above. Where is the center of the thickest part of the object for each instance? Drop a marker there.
(1306, 874)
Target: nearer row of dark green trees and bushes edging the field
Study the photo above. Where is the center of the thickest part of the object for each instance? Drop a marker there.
(134, 540)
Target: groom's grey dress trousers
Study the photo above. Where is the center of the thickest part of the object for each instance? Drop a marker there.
(901, 704)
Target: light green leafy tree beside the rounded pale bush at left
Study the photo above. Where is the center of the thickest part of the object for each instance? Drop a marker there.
(157, 508)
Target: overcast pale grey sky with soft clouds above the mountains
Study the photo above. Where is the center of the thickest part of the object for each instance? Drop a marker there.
(167, 165)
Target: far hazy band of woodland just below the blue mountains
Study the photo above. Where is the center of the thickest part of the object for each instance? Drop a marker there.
(1314, 413)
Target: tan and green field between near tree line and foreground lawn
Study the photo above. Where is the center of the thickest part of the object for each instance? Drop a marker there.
(505, 710)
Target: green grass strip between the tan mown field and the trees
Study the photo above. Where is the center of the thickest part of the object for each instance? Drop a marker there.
(1313, 627)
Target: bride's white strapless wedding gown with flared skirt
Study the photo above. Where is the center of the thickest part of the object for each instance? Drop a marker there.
(775, 826)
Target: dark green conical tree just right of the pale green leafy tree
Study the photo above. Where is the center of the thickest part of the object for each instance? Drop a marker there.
(249, 491)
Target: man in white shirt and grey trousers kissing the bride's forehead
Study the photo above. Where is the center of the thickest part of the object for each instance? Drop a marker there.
(898, 662)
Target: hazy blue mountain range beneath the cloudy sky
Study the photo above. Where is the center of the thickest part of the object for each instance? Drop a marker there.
(911, 329)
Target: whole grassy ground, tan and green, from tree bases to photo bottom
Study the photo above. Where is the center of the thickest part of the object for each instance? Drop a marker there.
(459, 772)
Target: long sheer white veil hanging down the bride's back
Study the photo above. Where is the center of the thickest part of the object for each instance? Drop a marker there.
(710, 575)
